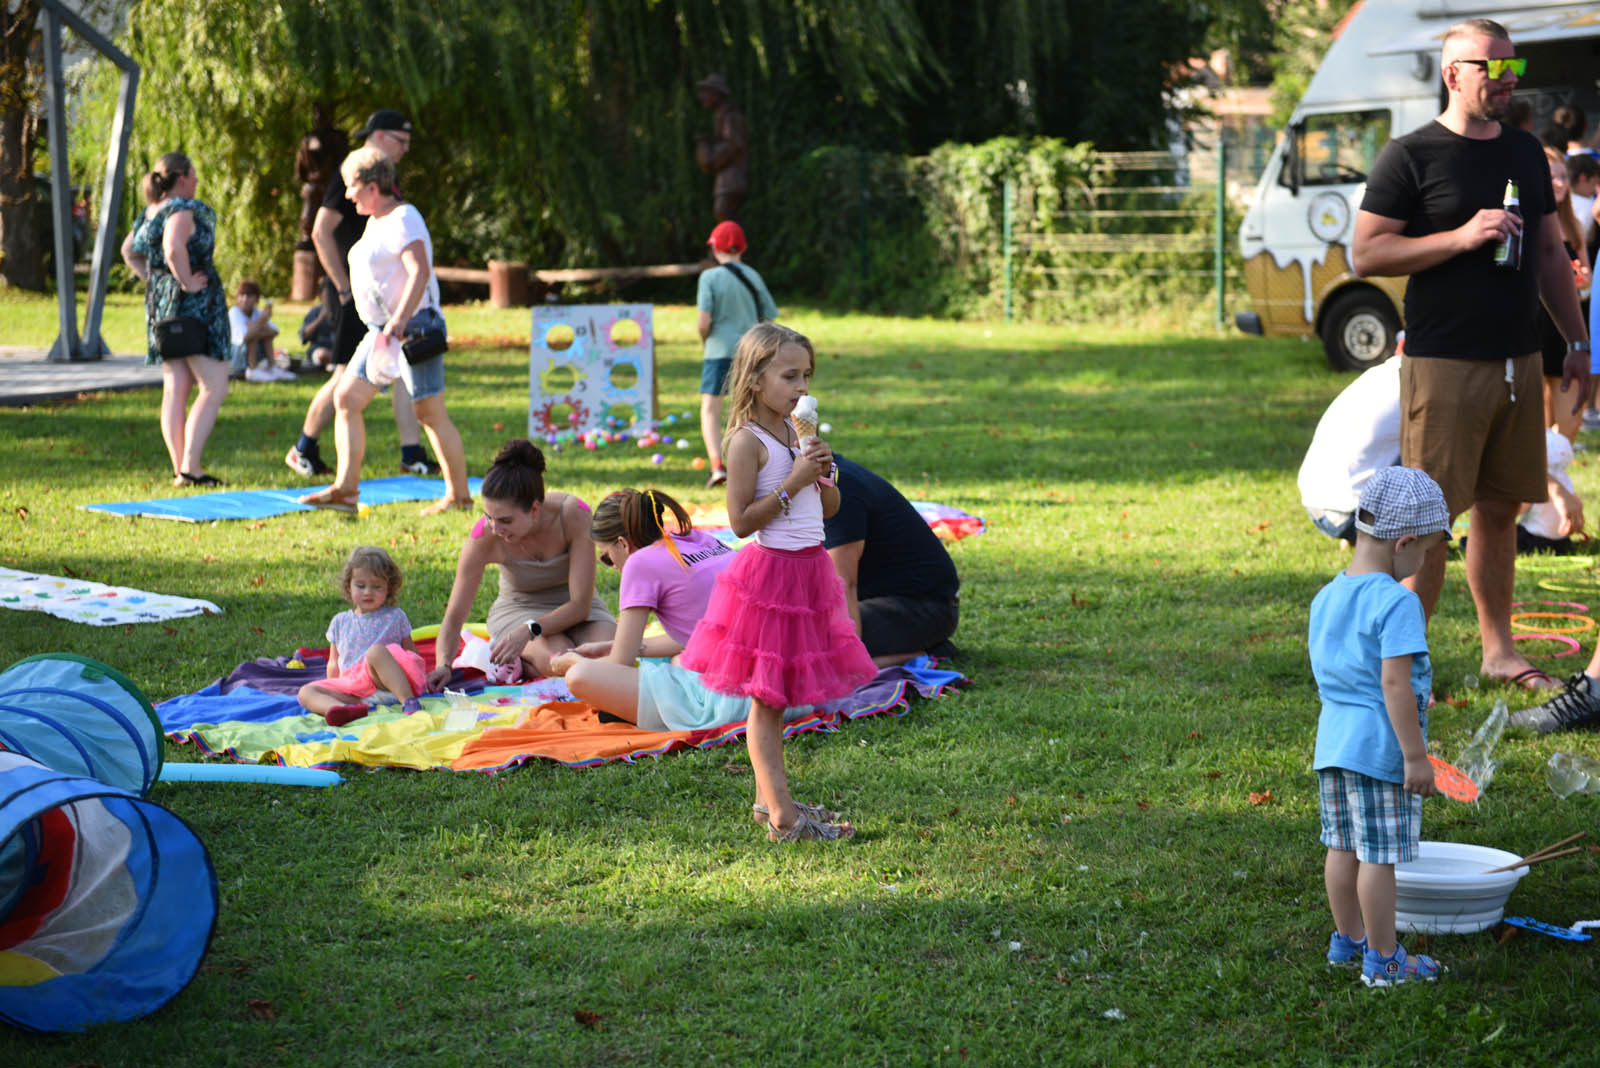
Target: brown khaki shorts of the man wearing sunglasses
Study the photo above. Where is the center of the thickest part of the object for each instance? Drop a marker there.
(1462, 426)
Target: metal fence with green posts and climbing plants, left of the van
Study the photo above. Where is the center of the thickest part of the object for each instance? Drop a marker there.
(1135, 215)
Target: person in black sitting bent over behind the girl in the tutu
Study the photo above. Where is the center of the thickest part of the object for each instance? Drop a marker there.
(900, 584)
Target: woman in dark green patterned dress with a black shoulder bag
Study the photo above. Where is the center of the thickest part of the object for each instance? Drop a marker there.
(170, 249)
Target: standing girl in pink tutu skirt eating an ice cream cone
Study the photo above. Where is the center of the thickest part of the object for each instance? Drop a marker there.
(777, 629)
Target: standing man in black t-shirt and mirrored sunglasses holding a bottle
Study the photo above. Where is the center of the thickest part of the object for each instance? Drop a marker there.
(1471, 381)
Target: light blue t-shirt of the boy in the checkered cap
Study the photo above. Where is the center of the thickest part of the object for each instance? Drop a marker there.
(1354, 626)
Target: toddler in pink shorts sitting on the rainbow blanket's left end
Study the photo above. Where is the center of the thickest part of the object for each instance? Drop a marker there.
(369, 647)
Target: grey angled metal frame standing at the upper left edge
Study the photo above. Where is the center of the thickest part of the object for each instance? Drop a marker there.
(68, 345)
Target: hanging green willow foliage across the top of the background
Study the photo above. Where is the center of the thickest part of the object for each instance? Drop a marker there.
(562, 132)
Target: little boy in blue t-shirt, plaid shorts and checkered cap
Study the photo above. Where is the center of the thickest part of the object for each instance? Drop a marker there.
(1369, 653)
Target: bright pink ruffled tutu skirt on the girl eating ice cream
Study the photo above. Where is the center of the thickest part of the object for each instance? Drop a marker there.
(777, 629)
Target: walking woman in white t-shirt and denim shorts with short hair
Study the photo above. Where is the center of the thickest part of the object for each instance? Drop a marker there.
(396, 295)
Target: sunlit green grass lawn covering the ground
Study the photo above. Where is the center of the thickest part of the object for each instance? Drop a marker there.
(1060, 866)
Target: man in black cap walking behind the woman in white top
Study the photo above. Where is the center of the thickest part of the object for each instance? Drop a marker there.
(335, 231)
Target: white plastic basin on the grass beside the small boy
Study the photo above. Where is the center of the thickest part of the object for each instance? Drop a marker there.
(1444, 891)
